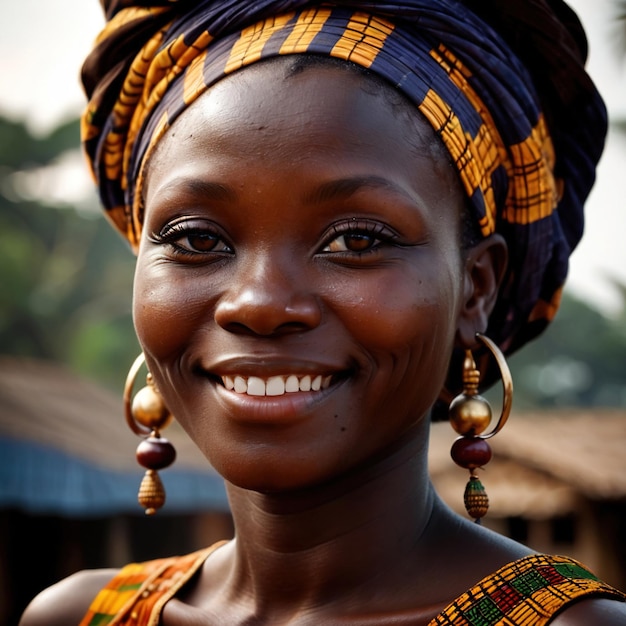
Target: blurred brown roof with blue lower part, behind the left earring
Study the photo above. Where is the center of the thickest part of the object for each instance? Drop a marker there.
(65, 448)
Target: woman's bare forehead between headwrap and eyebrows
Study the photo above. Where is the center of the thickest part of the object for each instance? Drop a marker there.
(320, 113)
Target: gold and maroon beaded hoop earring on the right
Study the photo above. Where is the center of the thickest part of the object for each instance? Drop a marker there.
(470, 415)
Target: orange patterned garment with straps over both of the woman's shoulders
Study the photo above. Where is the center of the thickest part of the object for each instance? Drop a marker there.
(528, 592)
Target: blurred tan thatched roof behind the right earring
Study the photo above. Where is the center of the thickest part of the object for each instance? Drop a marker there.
(543, 464)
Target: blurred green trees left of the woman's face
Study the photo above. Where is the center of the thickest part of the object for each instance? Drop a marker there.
(66, 276)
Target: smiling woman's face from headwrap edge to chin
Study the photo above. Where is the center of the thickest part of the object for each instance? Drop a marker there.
(301, 238)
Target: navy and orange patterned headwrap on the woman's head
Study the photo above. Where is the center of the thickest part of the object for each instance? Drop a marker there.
(502, 82)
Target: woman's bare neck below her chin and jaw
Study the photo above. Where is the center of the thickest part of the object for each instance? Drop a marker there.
(306, 547)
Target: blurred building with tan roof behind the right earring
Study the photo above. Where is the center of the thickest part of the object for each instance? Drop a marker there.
(557, 482)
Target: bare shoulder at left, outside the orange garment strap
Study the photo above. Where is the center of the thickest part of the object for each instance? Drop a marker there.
(67, 601)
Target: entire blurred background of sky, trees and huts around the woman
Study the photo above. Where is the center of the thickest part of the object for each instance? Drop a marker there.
(68, 477)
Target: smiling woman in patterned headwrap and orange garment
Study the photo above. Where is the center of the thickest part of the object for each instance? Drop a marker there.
(328, 202)
